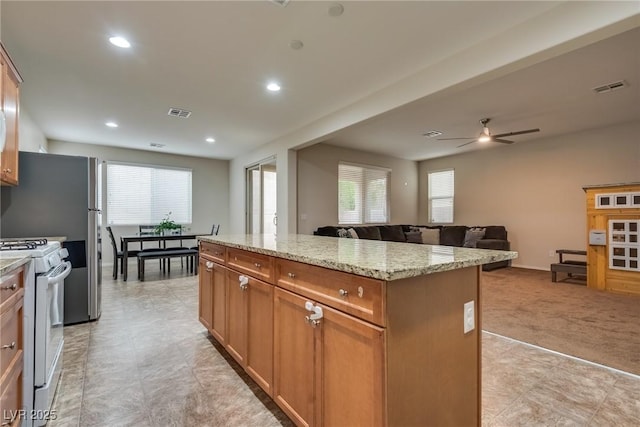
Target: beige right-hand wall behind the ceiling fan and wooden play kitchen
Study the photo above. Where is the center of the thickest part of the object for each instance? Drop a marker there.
(535, 188)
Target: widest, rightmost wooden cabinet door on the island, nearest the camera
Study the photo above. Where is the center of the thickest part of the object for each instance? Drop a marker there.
(351, 367)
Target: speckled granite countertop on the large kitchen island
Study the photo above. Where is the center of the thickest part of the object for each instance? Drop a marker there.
(371, 258)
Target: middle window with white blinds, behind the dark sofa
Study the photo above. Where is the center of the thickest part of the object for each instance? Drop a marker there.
(363, 195)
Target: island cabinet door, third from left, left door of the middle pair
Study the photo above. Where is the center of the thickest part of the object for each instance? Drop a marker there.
(236, 343)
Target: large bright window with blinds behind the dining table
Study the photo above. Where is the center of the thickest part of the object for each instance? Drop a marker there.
(138, 194)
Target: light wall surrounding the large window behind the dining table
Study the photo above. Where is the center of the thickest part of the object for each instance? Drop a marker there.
(210, 184)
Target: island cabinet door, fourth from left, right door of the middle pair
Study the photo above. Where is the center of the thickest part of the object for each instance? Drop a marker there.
(259, 358)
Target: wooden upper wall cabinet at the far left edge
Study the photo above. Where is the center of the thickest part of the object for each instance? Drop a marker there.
(10, 111)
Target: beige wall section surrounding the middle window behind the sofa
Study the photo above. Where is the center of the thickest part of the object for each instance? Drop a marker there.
(318, 185)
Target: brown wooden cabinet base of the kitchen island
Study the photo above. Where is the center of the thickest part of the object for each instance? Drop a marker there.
(337, 349)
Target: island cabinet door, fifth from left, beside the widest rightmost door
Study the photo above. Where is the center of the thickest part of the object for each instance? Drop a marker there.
(293, 365)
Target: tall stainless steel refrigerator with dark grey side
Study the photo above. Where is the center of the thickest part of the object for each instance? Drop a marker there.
(60, 196)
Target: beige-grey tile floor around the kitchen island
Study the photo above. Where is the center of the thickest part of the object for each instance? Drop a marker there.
(149, 362)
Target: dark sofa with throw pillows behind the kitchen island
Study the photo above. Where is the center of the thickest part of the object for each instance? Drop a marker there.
(482, 237)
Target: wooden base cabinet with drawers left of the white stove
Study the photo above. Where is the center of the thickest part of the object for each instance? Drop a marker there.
(11, 343)
